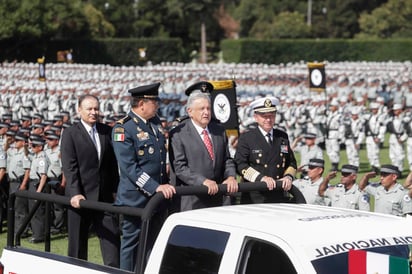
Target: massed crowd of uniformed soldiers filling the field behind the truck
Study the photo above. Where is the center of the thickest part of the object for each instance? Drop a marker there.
(363, 102)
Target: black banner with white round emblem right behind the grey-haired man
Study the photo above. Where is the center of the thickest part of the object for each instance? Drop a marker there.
(224, 104)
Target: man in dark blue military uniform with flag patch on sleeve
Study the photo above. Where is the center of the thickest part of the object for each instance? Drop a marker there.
(139, 146)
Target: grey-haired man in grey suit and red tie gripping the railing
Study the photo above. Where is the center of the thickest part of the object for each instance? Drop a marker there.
(198, 151)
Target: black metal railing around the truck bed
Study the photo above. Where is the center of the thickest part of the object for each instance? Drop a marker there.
(144, 213)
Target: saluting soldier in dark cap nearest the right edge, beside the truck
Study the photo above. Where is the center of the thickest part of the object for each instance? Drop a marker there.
(390, 196)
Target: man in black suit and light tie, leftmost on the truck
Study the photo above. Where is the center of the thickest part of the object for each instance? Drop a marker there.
(90, 169)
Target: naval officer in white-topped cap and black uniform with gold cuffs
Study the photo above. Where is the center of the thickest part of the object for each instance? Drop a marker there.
(264, 154)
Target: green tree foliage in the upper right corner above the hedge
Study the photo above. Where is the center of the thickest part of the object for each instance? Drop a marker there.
(391, 20)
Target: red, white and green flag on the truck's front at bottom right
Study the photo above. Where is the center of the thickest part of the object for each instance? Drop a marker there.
(365, 262)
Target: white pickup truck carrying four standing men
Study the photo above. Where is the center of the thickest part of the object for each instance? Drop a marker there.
(261, 238)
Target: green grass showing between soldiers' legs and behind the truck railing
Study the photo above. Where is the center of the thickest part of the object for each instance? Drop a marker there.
(59, 242)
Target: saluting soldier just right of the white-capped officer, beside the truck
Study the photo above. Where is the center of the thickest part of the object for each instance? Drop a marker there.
(346, 194)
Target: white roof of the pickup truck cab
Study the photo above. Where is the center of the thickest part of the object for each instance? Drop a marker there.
(309, 226)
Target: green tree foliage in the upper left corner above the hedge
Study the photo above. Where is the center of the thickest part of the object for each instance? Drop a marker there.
(45, 19)
